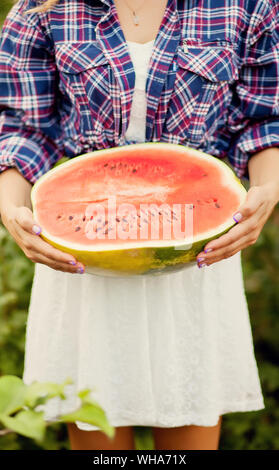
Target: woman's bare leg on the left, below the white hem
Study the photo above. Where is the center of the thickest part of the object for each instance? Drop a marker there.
(97, 440)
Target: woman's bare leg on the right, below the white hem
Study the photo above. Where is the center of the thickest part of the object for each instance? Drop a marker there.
(187, 437)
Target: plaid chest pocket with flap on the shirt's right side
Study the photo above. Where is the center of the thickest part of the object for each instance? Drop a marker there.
(204, 74)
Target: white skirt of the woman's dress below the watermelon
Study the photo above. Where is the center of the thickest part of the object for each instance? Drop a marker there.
(164, 351)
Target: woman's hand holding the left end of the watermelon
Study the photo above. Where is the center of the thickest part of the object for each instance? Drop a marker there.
(20, 223)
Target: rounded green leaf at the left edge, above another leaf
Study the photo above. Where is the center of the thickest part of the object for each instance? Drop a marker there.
(12, 394)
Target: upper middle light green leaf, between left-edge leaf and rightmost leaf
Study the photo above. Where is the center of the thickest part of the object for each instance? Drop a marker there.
(37, 390)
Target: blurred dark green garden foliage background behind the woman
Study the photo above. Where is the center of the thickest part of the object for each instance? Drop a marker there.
(253, 430)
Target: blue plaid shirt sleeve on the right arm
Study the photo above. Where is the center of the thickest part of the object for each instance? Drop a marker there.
(254, 114)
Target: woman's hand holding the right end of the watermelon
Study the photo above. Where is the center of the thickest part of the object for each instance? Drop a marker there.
(251, 217)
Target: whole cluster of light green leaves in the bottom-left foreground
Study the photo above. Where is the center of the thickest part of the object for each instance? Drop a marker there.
(20, 407)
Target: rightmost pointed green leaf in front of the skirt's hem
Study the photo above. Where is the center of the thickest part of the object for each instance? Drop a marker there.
(90, 413)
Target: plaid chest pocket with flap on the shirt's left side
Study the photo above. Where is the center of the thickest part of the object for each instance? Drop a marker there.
(85, 84)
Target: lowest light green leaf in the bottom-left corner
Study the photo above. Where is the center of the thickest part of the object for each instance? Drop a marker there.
(29, 423)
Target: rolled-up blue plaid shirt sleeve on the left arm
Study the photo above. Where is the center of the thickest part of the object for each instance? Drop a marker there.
(29, 126)
